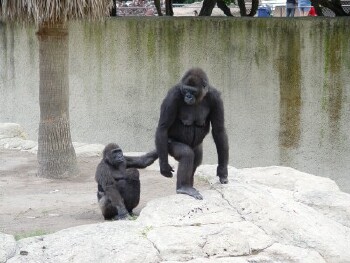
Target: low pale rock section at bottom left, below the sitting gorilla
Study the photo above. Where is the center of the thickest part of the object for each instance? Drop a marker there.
(105, 242)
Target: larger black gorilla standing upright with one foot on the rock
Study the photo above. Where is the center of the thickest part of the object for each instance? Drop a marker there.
(187, 112)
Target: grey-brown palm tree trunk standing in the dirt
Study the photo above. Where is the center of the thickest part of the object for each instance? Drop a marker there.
(56, 155)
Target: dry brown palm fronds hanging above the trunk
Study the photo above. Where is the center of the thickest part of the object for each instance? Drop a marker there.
(39, 11)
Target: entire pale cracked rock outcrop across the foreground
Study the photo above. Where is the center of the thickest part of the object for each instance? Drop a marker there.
(271, 214)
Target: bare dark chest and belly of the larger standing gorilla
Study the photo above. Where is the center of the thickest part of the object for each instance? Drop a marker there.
(191, 124)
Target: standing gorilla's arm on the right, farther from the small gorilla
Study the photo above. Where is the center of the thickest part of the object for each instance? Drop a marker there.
(219, 134)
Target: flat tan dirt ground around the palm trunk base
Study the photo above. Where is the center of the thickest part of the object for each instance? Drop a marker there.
(30, 205)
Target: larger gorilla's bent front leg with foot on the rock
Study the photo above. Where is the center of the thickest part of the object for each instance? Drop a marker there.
(185, 156)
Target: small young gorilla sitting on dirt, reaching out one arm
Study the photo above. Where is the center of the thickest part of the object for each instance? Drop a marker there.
(118, 181)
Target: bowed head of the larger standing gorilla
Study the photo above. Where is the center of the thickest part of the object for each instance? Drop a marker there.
(195, 85)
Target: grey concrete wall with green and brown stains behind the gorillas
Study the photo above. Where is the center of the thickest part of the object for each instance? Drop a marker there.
(285, 84)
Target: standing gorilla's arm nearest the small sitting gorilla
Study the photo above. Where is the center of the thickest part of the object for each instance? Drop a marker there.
(168, 112)
